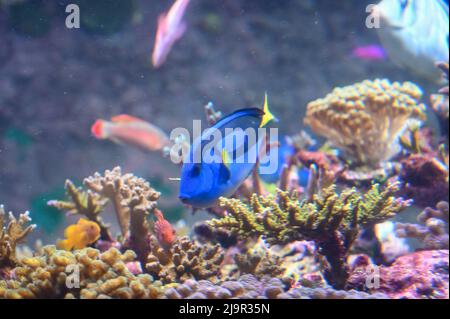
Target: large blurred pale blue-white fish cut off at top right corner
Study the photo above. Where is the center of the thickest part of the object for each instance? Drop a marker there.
(415, 34)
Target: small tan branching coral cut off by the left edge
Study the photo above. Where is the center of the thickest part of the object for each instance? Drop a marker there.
(12, 232)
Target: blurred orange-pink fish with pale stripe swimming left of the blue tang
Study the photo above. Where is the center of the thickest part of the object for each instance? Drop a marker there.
(127, 129)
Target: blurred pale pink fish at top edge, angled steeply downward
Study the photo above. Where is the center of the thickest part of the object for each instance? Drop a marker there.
(171, 28)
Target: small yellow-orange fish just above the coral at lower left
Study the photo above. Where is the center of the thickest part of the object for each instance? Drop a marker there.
(80, 235)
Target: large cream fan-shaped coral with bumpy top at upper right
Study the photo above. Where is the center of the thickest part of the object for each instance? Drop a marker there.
(365, 120)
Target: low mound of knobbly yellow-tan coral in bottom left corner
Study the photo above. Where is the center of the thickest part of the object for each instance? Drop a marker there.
(85, 273)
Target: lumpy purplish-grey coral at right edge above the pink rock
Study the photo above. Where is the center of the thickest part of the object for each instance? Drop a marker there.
(434, 229)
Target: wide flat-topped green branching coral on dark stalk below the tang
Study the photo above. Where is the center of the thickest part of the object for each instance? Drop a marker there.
(332, 220)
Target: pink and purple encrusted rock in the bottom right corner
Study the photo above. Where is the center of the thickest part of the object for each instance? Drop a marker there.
(419, 275)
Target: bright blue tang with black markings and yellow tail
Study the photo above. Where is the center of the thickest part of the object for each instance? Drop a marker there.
(225, 163)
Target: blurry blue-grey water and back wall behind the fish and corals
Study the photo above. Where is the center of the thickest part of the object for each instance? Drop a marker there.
(56, 82)
